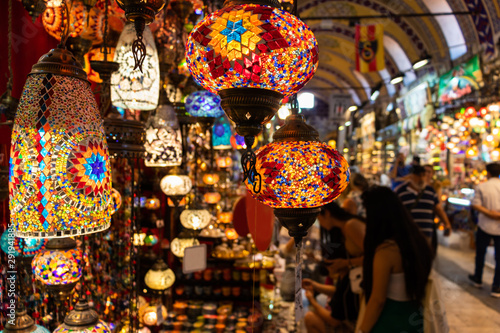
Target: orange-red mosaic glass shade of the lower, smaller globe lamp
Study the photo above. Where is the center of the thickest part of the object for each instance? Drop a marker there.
(300, 174)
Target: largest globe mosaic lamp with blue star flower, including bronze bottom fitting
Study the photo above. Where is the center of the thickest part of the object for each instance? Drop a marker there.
(253, 54)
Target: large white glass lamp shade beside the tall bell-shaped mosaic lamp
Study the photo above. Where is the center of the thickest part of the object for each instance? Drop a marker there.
(133, 89)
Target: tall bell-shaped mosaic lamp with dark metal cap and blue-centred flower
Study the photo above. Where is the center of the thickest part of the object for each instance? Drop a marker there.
(60, 174)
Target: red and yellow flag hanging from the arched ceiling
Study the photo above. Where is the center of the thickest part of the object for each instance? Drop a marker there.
(369, 48)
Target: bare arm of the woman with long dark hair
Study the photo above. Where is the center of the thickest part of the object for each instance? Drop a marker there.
(381, 275)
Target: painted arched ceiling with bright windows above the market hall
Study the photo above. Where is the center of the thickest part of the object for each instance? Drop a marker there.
(447, 39)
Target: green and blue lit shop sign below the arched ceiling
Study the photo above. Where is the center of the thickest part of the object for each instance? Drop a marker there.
(460, 81)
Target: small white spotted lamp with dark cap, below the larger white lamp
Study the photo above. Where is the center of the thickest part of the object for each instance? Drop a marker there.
(163, 136)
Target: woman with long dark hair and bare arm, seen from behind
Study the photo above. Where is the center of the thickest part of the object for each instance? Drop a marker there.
(396, 266)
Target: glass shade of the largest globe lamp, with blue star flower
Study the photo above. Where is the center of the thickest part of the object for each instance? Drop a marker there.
(252, 46)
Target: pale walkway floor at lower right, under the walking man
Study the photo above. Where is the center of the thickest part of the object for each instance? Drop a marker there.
(469, 310)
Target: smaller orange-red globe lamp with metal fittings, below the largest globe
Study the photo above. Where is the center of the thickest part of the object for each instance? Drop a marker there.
(299, 175)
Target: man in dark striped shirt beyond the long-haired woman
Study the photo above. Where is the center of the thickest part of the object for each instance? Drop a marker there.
(422, 202)
